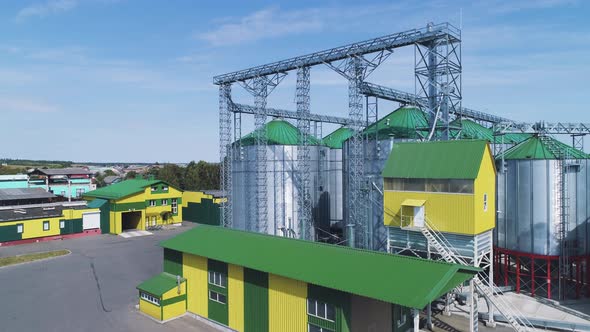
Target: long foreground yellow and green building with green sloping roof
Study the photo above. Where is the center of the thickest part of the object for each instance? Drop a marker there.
(254, 282)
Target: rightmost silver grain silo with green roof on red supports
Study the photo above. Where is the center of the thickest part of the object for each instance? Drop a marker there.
(541, 238)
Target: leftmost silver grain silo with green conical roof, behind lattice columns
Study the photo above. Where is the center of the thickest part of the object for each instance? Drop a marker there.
(281, 179)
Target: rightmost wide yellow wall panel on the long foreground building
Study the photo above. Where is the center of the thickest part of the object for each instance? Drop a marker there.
(287, 304)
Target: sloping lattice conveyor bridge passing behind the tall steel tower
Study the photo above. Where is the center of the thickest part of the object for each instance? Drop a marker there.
(382, 92)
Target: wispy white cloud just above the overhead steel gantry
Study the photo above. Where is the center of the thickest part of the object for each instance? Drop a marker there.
(263, 24)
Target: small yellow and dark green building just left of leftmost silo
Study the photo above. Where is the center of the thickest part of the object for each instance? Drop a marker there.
(202, 206)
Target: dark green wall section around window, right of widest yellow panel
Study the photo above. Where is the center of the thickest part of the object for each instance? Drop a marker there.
(341, 302)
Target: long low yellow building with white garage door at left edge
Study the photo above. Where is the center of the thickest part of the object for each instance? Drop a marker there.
(23, 222)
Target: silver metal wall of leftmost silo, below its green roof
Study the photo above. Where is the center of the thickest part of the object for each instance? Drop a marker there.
(282, 188)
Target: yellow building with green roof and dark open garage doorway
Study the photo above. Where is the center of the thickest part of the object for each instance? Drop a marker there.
(136, 204)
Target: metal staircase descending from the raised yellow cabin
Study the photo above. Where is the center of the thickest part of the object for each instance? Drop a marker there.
(450, 255)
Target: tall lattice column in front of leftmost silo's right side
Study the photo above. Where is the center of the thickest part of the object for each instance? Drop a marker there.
(304, 205)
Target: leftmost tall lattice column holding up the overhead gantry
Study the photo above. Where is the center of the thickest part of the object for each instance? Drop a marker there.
(225, 153)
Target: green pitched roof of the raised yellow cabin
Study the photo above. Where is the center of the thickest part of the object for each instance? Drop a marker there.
(435, 160)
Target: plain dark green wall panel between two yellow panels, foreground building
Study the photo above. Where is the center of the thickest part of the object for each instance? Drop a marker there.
(255, 301)
